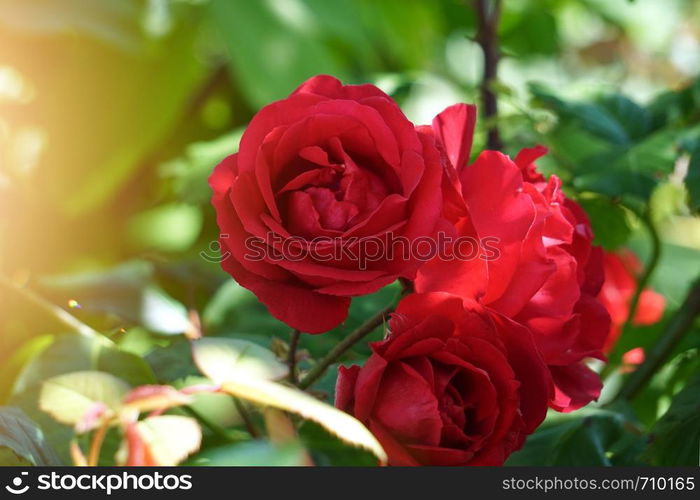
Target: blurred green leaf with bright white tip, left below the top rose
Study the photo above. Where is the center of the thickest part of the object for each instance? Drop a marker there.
(128, 291)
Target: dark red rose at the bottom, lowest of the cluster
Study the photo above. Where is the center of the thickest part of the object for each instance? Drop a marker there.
(453, 384)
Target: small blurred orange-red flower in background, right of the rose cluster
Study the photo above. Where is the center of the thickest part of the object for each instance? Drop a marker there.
(621, 270)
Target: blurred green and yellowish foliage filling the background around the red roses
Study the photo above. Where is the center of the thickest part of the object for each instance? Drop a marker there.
(124, 109)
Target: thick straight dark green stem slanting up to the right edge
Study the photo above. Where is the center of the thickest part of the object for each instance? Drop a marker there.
(679, 325)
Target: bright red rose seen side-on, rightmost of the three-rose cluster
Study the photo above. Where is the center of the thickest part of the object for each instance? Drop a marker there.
(547, 273)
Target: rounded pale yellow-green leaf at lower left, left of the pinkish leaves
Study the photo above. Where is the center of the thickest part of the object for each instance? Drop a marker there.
(68, 397)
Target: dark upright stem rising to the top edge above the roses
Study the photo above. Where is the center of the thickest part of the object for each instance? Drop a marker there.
(488, 13)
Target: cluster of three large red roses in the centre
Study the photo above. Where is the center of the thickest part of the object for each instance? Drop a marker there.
(485, 345)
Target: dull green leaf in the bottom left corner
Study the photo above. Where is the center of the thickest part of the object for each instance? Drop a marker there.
(22, 441)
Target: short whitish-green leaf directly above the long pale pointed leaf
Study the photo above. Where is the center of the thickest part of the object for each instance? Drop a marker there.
(223, 359)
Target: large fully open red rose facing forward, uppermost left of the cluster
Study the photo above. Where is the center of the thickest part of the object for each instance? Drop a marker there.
(329, 167)
